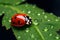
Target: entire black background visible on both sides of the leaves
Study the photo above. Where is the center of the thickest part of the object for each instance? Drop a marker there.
(48, 5)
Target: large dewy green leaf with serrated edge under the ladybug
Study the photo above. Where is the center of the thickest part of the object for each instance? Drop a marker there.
(44, 25)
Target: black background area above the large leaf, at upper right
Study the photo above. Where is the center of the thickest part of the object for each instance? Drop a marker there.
(48, 5)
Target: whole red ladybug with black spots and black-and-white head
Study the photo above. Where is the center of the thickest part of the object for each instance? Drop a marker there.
(19, 20)
